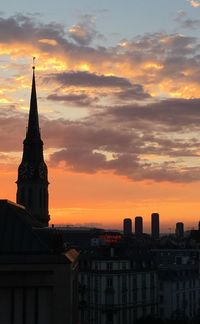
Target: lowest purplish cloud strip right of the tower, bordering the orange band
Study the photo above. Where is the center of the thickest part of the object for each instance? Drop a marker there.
(125, 165)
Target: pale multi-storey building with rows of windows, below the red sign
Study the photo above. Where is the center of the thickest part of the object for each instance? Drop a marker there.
(117, 285)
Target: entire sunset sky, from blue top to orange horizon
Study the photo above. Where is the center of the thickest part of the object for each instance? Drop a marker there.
(118, 86)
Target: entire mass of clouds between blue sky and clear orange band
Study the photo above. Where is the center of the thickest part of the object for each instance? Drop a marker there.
(142, 97)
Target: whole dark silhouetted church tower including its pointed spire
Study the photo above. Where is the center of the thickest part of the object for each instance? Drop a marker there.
(32, 182)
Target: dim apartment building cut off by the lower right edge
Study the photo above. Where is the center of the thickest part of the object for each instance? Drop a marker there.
(178, 282)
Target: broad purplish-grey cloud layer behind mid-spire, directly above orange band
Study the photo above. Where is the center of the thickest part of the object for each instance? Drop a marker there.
(121, 140)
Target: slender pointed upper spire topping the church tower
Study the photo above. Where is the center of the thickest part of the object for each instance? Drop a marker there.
(33, 130)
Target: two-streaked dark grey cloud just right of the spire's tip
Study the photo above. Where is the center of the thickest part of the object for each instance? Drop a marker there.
(128, 91)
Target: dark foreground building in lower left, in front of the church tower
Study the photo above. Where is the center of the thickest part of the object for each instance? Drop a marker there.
(38, 277)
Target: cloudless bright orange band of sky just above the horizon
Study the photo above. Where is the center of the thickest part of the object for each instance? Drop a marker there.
(103, 200)
